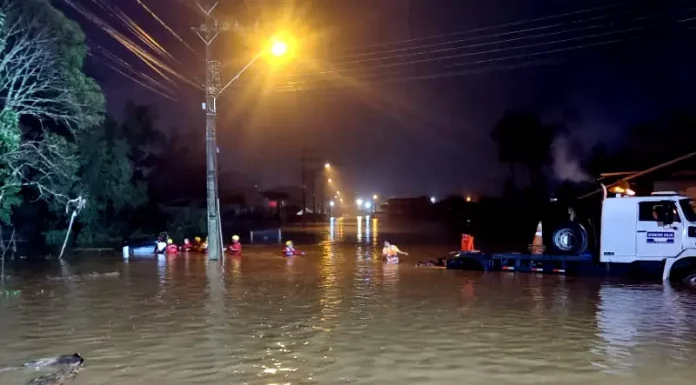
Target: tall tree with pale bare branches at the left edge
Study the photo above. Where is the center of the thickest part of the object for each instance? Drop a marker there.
(41, 79)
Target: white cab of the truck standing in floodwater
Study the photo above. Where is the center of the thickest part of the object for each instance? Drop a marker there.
(659, 228)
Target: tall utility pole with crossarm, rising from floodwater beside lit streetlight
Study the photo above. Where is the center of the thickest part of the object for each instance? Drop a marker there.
(208, 32)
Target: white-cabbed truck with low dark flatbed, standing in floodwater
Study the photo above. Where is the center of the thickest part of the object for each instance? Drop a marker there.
(651, 237)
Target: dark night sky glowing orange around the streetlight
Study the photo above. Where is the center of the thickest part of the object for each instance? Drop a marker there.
(394, 136)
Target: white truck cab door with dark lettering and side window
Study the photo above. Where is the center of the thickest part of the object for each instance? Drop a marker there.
(656, 239)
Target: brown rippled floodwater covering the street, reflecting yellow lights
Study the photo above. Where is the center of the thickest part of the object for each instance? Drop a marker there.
(338, 315)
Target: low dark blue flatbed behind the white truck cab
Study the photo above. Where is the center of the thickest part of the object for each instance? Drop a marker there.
(584, 264)
